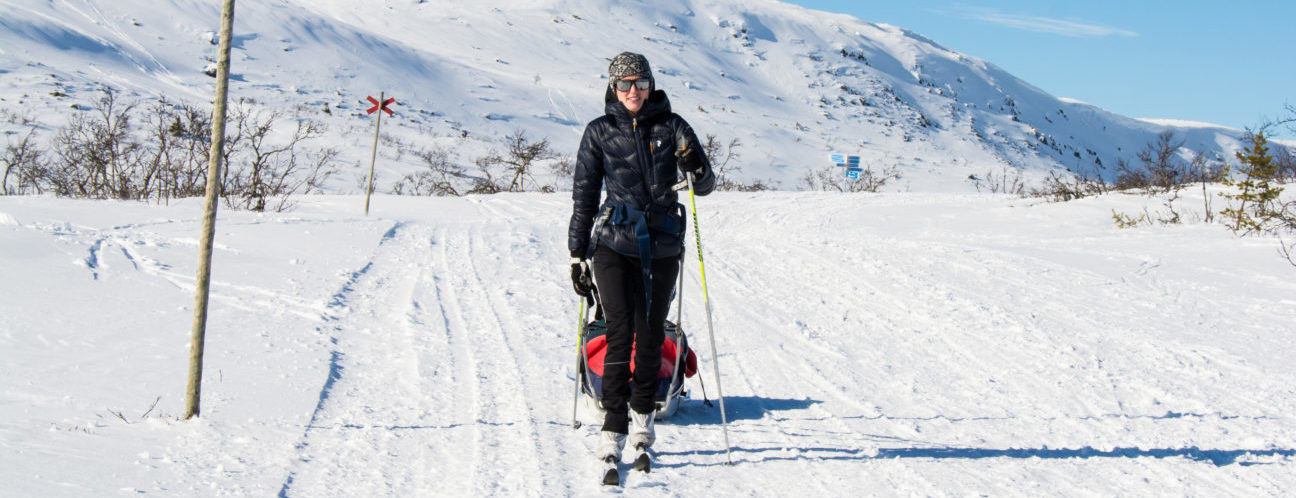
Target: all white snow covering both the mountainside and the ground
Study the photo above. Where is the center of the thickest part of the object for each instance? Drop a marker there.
(921, 342)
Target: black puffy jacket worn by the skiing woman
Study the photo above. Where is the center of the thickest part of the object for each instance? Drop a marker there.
(634, 159)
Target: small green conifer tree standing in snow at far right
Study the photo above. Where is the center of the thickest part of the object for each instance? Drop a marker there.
(1258, 191)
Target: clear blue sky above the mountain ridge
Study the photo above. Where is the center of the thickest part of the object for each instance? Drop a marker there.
(1225, 63)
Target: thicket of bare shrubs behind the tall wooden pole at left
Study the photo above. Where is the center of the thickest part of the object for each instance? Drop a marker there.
(110, 154)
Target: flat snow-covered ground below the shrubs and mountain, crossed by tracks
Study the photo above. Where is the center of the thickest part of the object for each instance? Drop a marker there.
(890, 344)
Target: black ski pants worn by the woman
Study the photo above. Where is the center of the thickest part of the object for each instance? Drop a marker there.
(621, 291)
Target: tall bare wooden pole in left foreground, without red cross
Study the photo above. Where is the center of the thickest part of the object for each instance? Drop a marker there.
(209, 215)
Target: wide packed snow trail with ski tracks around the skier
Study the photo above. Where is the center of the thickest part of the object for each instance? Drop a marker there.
(947, 351)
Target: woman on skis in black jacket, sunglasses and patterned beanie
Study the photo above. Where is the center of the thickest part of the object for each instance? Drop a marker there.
(629, 247)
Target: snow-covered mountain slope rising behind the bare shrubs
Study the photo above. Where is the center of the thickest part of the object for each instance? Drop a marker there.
(794, 85)
